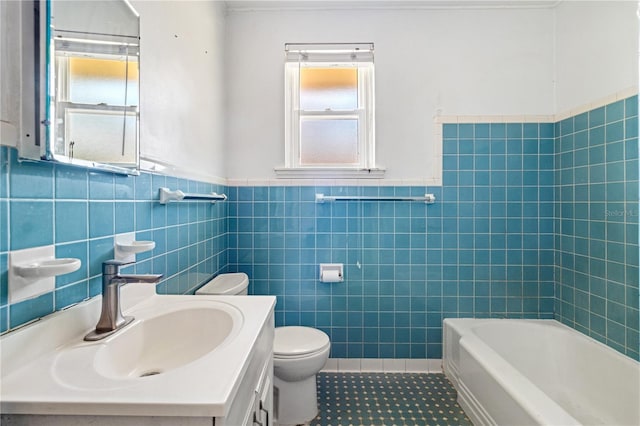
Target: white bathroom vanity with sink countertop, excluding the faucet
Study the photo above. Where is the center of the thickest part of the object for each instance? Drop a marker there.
(184, 360)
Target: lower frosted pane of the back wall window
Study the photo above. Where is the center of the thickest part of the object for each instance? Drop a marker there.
(328, 141)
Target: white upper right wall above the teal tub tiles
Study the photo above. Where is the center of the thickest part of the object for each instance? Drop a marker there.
(596, 51)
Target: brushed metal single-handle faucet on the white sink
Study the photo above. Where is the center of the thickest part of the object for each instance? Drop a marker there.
(111, 318)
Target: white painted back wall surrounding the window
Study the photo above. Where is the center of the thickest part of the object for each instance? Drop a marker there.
(467, 62)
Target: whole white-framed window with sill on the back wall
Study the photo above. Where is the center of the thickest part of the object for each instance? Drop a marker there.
(329, 111)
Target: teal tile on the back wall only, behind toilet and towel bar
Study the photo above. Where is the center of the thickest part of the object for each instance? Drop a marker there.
(484, 249)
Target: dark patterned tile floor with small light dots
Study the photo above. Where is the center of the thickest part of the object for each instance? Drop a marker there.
(387, 399)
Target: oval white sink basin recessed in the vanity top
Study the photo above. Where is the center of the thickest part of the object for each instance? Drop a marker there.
(155, 343)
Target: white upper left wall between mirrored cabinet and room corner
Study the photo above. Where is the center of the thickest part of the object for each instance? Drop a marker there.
(182, 86)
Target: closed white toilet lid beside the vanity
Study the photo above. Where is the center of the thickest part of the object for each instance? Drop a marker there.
(293, 340)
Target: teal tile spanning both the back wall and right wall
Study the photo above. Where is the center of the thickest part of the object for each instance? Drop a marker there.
(532, 220)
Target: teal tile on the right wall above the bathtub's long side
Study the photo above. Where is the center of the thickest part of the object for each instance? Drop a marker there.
(596, 262)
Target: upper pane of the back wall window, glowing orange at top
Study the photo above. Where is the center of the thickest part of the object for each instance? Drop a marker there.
(324, 89)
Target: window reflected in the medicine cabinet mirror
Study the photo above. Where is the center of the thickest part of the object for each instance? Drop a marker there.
(96, 100)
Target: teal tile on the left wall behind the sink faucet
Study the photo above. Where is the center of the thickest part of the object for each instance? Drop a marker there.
(80, 212)
